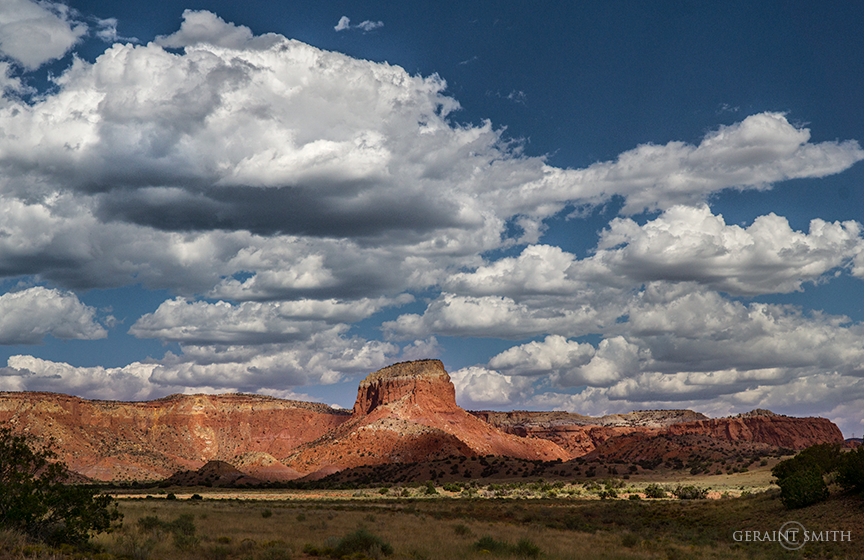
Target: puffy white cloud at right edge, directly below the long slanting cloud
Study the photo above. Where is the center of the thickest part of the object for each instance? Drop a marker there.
(692, 244)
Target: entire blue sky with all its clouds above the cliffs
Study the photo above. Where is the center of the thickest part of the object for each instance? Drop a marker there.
(595, 207)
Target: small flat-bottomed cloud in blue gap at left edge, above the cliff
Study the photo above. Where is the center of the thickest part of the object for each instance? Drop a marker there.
(27, 316)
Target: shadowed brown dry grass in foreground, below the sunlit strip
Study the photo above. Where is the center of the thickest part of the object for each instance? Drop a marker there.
(442, 528)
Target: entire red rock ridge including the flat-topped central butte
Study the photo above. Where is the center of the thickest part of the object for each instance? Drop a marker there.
(404, 413)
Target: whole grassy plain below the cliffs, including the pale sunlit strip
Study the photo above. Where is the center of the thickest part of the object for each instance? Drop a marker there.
(520, 520)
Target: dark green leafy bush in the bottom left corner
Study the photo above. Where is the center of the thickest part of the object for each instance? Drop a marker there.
(37, 499)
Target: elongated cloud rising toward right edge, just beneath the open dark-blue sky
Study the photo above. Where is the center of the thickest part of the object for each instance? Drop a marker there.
(752, 154)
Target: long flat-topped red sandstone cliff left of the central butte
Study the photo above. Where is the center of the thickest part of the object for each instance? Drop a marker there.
(108, 440)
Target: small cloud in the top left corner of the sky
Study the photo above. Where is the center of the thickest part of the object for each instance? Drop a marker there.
(35, 32)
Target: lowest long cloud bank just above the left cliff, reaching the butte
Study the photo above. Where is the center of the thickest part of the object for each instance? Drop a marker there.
(325, 358)
